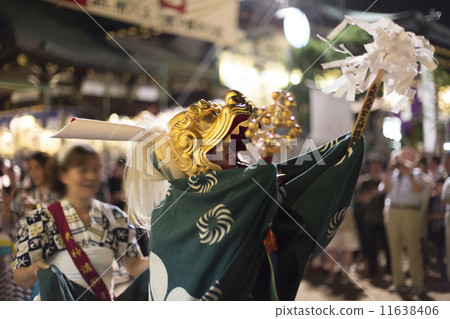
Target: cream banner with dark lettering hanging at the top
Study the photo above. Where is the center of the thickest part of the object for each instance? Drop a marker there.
(213, 20)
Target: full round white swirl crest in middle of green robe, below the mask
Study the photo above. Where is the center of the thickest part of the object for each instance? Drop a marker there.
(214, 225)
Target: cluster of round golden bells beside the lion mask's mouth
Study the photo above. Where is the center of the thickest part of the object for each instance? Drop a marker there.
(275, 126)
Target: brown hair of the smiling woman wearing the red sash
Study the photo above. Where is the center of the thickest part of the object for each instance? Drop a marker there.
(74, 157)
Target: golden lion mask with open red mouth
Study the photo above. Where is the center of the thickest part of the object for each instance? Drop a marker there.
(195, 132)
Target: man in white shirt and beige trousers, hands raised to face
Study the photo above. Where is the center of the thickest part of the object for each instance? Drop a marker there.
(403, 187)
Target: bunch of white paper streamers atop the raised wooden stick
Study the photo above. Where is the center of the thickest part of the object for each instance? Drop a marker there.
(396, 51)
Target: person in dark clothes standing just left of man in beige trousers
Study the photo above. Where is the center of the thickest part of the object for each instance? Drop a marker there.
(374, 231)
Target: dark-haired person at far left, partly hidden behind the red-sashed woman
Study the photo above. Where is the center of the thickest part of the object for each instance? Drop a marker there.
(20, 201)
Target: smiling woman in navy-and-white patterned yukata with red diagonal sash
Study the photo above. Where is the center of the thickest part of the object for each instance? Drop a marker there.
(95, 233)
